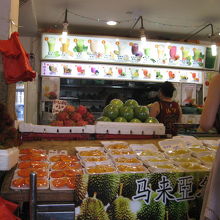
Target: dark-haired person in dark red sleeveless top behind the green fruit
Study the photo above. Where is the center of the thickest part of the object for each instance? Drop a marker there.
(166, 110)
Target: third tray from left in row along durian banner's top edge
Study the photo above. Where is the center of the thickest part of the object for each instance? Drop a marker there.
(164, 168)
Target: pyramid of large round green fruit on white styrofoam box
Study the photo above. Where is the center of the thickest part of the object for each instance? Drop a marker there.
(130, 111)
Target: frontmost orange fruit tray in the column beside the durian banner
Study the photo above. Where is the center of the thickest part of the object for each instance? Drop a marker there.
(64, 183)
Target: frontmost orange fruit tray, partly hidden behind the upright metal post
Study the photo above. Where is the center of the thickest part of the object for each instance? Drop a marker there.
(20, 183)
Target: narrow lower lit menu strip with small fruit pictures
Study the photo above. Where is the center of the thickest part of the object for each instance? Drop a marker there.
(119, 72)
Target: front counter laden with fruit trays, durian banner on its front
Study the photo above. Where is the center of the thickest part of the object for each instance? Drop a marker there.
(167, 175)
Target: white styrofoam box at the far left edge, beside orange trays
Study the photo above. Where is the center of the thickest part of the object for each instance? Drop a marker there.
(8, 158)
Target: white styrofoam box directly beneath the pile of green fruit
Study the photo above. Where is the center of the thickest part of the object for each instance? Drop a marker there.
(129, 128)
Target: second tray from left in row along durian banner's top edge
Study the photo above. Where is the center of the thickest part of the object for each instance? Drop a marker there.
(131, 168)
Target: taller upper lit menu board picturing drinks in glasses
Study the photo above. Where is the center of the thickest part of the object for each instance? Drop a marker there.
(122, 50)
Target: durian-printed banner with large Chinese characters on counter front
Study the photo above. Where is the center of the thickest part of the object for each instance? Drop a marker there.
(140, 196)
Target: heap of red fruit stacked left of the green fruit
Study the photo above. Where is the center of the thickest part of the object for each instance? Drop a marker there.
(74, 116)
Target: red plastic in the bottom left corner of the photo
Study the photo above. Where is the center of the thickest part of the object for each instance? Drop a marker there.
(6, 210)
